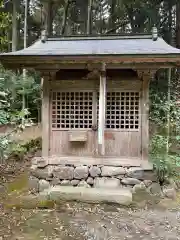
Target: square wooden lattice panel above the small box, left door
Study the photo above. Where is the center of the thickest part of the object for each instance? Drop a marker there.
(72, 110)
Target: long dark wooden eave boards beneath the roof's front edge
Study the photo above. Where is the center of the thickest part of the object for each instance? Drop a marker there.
(130, 60)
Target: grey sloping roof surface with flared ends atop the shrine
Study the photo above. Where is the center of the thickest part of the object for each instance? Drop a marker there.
(79, 46)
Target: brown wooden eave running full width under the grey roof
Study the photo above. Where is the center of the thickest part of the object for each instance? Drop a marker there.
(32, 61)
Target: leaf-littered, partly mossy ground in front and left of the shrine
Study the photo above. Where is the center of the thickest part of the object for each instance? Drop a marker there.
(79, 221)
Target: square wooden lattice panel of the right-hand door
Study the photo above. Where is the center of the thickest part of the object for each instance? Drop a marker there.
(122, 110)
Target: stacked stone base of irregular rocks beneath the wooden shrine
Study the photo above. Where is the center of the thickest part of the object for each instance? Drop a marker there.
(44, 176)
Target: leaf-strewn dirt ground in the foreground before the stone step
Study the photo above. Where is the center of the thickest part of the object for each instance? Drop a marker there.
(81, 221)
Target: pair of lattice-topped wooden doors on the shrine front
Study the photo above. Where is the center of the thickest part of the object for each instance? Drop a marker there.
(74, 110)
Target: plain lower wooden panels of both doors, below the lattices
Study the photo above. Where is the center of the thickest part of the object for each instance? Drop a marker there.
(120, 143)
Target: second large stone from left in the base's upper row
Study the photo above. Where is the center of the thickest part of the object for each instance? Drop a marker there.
(64, 172)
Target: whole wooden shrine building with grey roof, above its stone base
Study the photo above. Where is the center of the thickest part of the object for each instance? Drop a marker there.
(95, 93)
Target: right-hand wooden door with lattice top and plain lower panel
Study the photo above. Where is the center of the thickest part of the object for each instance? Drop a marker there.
(122, 131)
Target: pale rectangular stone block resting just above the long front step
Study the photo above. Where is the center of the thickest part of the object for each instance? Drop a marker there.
(106, 182)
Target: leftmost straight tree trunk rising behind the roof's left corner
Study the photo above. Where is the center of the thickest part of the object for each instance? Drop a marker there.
(14, 26)
